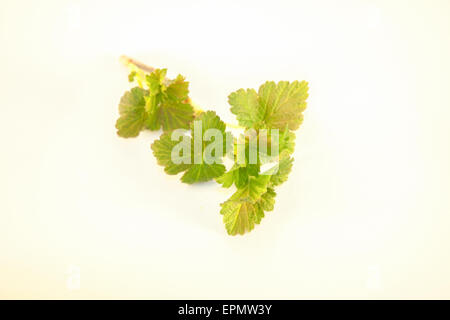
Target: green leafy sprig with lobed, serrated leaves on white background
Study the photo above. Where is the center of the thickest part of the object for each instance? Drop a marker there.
(160, 103)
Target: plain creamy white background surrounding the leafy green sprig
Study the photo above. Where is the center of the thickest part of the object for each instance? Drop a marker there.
(364, 214)
